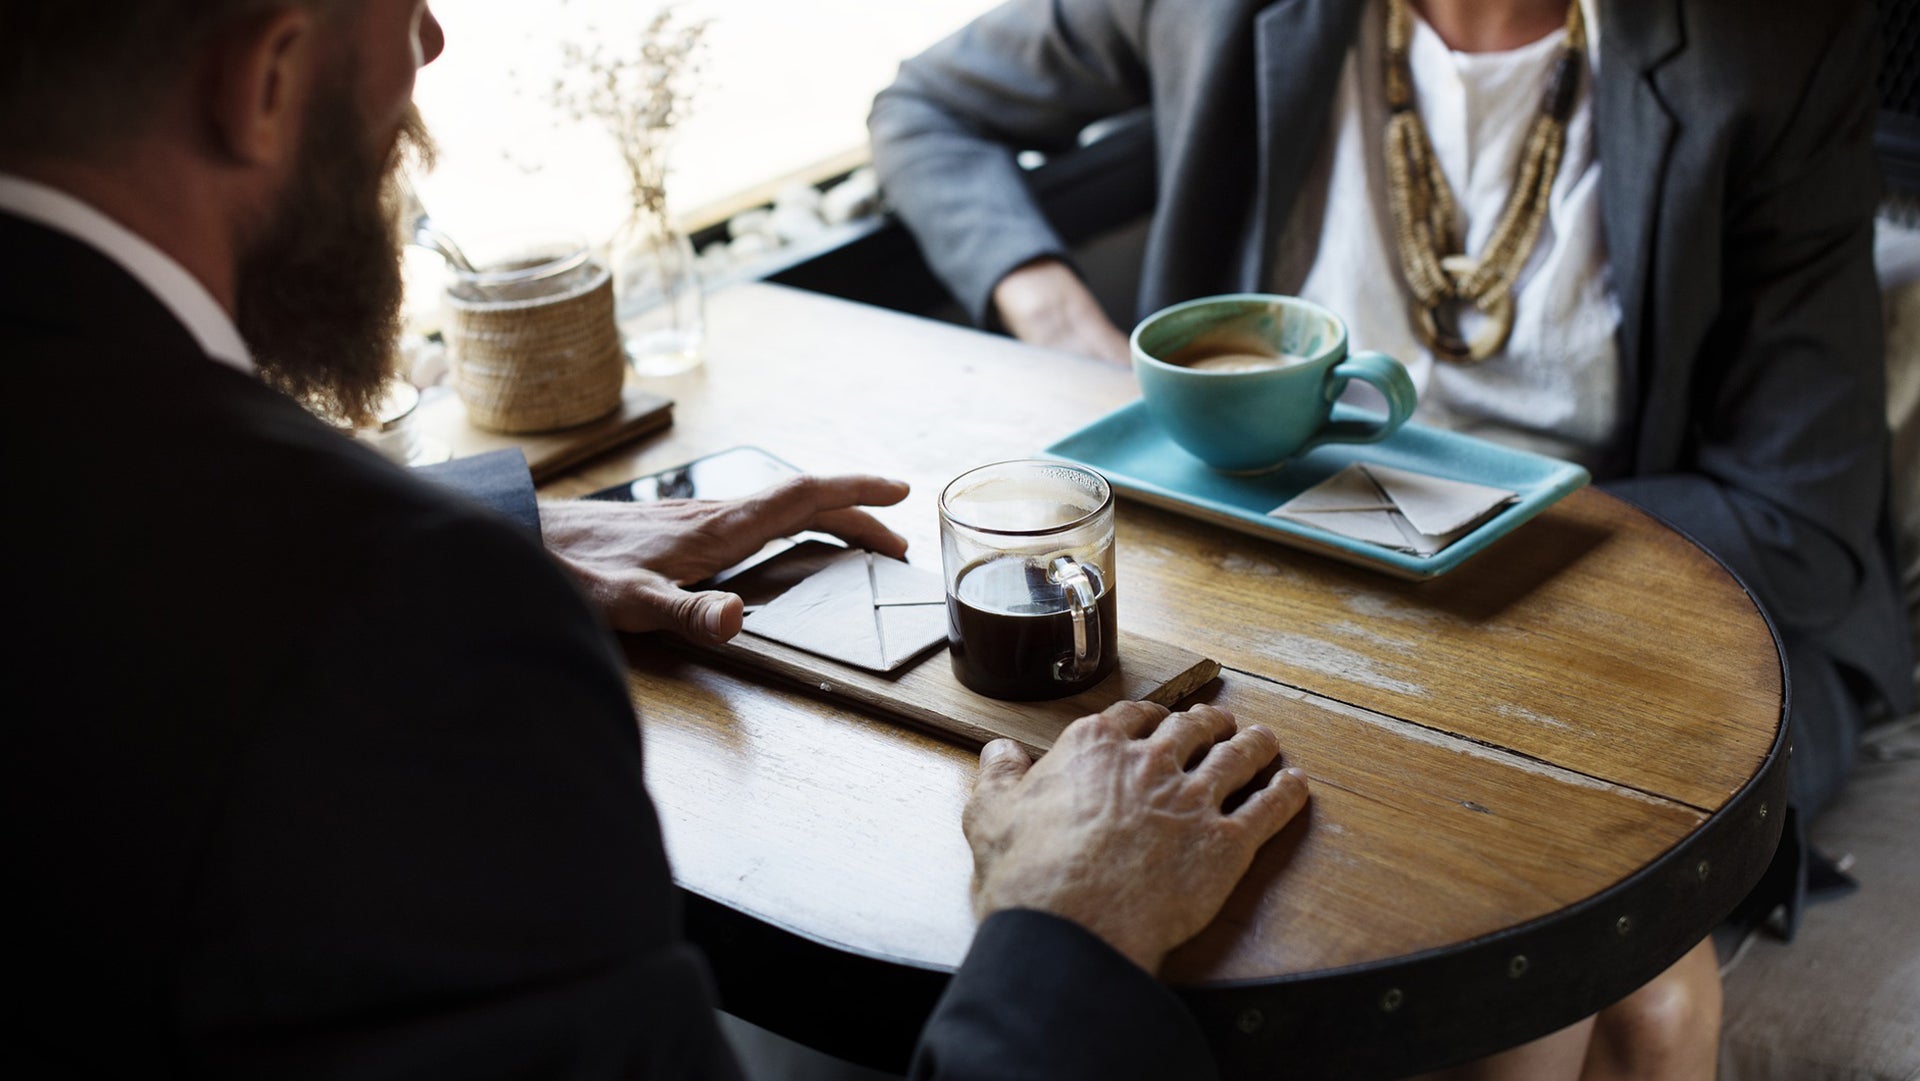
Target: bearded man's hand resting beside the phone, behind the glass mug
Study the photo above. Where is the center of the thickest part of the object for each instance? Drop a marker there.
(635, 558)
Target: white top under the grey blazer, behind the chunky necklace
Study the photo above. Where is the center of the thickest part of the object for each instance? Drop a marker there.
(1556, 387)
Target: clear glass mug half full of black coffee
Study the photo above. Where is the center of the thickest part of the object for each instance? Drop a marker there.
(1028, 550)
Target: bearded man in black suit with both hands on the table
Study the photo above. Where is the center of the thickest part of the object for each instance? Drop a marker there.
(322, 771)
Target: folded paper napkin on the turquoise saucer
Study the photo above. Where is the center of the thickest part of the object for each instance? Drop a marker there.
(1395, 508)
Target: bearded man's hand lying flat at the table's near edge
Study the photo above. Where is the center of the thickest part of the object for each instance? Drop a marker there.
(1120, 827)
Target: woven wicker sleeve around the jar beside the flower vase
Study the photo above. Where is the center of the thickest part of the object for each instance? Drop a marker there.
(542, 364)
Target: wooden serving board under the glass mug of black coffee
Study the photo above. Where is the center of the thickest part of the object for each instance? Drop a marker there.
(928, 696)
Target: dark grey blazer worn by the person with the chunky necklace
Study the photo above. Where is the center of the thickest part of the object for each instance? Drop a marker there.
(1739, 195)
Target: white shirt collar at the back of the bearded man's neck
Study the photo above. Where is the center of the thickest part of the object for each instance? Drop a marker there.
(160, 274)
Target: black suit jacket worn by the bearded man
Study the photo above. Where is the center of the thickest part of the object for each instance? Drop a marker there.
(316, 771)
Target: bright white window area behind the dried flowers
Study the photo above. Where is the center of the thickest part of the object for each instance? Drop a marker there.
(786, 93)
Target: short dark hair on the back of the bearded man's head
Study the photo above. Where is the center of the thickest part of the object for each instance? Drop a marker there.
(84, 74)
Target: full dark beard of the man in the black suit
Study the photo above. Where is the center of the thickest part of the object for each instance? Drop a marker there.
(320, 287)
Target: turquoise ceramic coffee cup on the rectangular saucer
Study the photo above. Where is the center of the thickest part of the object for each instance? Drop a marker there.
(1247, 381)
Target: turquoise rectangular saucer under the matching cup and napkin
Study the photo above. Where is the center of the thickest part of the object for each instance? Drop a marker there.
(1138, 458)
